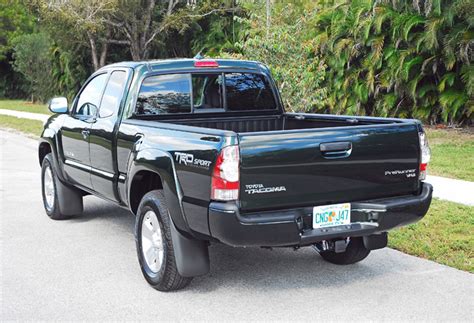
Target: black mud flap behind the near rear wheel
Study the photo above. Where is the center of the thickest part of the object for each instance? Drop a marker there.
(192, 256)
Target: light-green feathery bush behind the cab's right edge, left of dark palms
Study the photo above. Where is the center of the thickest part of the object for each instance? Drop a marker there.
(289, 50)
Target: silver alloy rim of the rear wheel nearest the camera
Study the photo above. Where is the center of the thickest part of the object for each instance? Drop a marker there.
(152, 242)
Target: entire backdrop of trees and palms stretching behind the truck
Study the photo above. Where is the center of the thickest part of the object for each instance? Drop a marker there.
(373, 57)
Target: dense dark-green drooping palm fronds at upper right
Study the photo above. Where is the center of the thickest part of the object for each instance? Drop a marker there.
(404, 59)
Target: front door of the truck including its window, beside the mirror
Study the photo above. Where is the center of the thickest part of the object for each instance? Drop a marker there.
(76, 129)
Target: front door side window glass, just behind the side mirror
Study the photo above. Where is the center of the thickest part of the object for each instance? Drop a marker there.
(89, 99)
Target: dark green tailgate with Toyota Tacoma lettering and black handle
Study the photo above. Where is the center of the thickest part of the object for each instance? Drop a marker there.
(331, 165)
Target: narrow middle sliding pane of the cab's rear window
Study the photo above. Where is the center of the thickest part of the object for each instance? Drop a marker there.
(207, 91)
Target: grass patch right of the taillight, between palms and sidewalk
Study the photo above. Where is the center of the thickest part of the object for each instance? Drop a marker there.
(452, 153)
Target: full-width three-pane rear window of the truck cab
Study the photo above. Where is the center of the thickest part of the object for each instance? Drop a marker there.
(186, 93)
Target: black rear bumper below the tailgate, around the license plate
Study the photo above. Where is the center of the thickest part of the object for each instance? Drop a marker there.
(294, 227)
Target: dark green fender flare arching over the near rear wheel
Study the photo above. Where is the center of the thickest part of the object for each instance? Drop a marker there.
(162, 163)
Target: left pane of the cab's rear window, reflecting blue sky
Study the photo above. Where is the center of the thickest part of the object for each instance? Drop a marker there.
(162, 94)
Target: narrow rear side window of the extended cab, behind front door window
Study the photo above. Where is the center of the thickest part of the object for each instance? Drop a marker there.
(113, 94)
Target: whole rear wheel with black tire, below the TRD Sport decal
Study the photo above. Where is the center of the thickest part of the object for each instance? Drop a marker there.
(154, 246)
